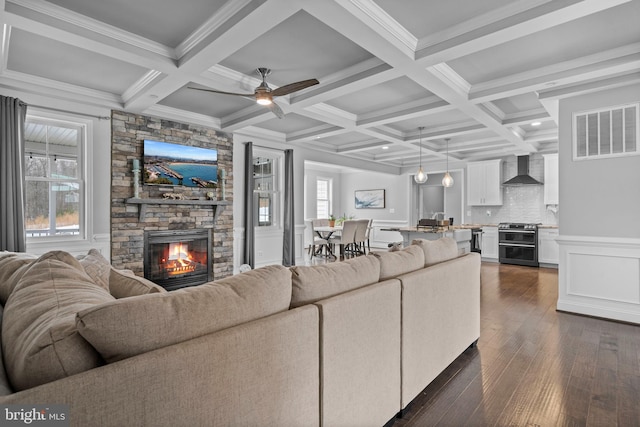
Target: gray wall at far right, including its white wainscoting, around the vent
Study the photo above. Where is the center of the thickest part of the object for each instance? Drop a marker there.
(599, 269)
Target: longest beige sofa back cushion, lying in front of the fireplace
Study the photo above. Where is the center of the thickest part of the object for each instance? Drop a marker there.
(130, 326)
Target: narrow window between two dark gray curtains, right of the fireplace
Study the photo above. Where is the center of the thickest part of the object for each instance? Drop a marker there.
(266, 194)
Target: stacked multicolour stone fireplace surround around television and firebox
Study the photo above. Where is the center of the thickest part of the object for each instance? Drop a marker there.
(128, 131)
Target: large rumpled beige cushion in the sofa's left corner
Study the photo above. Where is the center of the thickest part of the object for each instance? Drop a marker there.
(40, 342)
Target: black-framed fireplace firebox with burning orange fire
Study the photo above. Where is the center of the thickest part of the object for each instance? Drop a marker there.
(175, 259)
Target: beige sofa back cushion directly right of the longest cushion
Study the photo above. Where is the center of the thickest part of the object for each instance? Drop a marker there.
(313, 283)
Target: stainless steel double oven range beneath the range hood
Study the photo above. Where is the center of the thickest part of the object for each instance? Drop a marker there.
(518, 244)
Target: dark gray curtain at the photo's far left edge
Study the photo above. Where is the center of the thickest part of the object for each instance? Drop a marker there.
(12, 231)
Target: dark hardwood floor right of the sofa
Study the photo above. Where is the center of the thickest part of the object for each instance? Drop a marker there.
(535, 366)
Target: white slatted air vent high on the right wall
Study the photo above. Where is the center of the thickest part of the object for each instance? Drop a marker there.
(604, 133)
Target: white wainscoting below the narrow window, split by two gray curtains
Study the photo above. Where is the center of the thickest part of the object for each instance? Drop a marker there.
(268, 247)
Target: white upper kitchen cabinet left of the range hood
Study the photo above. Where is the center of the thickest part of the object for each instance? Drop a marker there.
(484, 183)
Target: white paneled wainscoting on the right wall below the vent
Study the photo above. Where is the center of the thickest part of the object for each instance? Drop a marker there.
(600, 277)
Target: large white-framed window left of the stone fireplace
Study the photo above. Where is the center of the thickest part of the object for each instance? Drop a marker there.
(54, 178)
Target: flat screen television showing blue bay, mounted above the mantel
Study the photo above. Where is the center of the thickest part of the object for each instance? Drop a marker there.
(166, 163)
